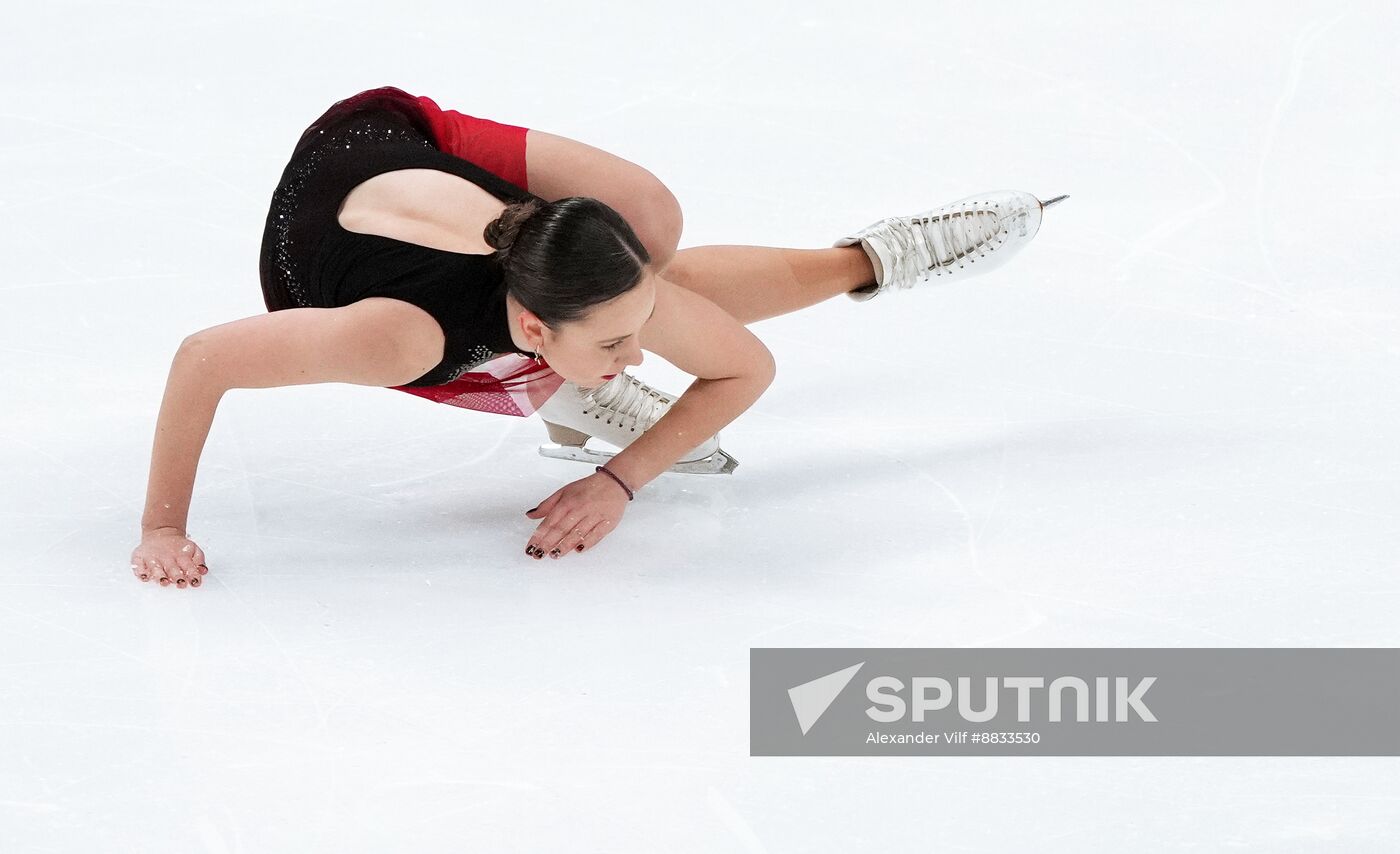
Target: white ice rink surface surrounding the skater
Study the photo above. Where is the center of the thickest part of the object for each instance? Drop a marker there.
(1170, 422)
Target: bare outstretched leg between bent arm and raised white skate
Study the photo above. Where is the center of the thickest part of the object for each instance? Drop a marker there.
(755, 283)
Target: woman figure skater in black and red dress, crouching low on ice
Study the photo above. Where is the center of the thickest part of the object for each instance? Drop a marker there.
(509, 271)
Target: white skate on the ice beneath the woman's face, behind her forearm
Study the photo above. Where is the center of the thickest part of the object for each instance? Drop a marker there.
(618, 412)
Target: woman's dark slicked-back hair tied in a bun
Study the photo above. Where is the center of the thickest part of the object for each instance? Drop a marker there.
(562, 258)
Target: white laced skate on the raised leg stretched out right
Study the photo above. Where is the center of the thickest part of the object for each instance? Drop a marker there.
(951, 243)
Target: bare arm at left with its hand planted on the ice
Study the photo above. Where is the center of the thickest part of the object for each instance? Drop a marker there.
(373, 342)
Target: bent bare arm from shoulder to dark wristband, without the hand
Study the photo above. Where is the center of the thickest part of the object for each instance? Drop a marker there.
(731, 366)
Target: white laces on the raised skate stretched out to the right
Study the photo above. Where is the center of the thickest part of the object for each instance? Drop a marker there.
(925, 244)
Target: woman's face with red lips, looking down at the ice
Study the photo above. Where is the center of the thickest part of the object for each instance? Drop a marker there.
(590, 351)
